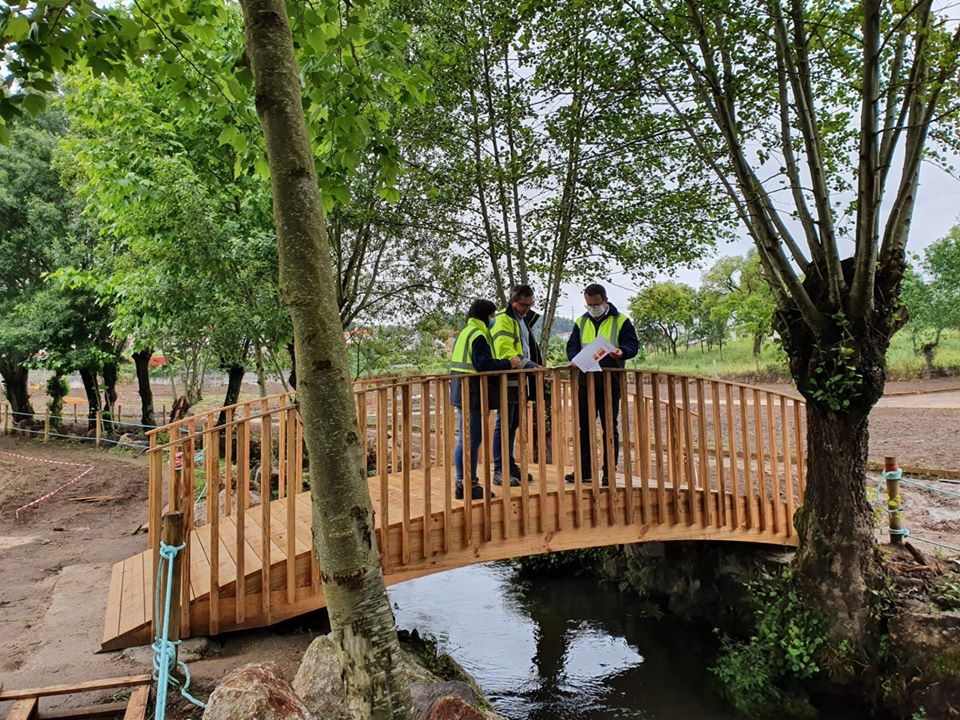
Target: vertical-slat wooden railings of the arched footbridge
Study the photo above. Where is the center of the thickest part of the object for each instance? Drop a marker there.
(694, 453)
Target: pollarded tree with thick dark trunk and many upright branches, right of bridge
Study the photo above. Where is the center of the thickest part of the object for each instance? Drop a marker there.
(755, 86)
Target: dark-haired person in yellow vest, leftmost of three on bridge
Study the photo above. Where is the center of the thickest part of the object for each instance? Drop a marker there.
(472, 354)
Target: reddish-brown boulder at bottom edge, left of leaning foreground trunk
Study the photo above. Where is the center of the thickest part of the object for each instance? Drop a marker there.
(256, 692)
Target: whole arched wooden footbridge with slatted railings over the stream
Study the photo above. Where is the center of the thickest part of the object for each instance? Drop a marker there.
(699, 459)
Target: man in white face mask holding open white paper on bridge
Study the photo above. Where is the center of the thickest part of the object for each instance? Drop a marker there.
(604, 323)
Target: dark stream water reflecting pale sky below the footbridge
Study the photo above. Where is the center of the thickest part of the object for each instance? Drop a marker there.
(561, 648)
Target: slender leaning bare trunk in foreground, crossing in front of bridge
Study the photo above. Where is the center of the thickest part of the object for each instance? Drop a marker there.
(343, 527)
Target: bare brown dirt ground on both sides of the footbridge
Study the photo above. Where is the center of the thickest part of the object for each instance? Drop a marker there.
(55, 560)
